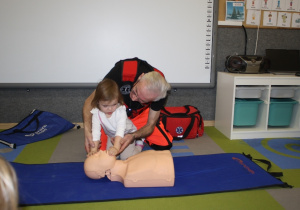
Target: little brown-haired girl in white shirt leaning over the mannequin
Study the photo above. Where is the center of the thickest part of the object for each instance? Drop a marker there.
(110, 114)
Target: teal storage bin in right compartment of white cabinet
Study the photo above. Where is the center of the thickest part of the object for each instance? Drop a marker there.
(281, 110)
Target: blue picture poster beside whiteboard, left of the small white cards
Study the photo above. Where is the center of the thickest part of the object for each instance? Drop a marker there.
(235, 11)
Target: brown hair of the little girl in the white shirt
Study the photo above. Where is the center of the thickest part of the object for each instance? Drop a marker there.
(107, 90)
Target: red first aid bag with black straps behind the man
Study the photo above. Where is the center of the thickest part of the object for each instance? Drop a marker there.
(184, 122)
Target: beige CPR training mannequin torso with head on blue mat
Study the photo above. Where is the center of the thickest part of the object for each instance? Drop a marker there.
(146, 169)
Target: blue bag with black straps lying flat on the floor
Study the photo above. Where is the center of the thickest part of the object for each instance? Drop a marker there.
(37, 126)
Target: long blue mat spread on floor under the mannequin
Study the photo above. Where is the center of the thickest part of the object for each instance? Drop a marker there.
(55, 183)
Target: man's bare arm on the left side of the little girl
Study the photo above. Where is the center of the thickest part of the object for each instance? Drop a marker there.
(87, 120)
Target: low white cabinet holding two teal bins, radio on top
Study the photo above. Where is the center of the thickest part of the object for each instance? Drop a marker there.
(225, 103)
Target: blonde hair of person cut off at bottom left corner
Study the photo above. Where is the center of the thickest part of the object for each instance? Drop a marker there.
(9, 197)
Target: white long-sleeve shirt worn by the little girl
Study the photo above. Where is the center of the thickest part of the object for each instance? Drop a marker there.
(117, 124)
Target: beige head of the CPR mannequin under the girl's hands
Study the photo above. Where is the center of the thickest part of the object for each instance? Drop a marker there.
(96, 165)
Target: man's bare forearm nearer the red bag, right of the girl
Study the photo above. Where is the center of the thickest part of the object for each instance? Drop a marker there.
(142, 132)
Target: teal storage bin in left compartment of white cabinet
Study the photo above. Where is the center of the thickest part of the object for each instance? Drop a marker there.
(245, 111)
